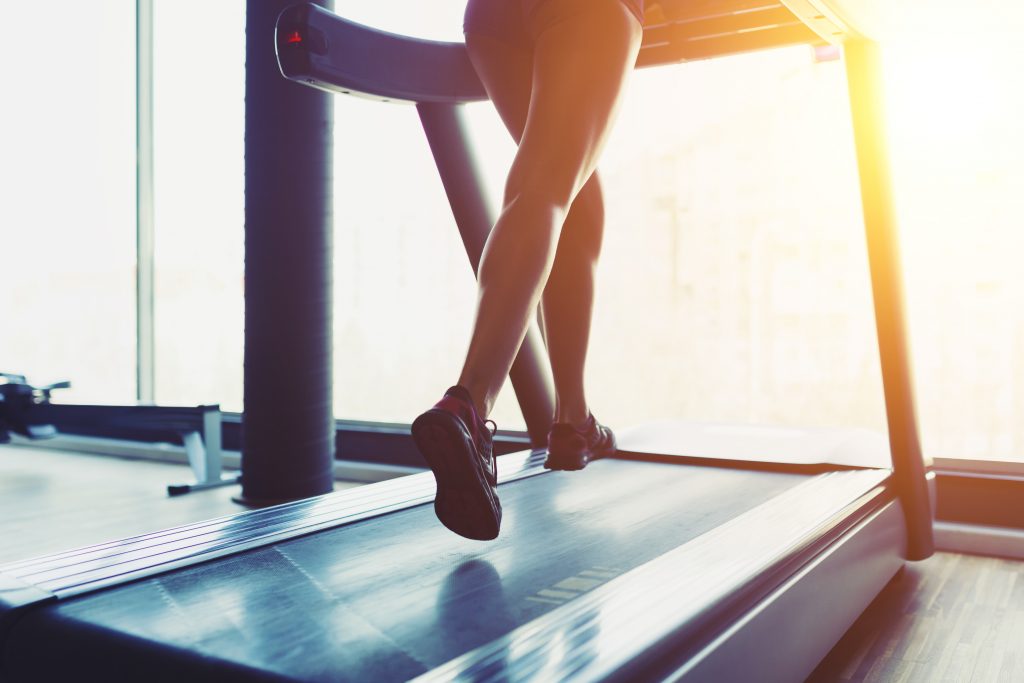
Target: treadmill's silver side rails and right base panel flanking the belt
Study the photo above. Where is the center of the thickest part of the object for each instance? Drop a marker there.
(838, 534)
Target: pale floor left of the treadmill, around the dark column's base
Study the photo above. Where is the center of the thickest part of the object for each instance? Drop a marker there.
(53, 501)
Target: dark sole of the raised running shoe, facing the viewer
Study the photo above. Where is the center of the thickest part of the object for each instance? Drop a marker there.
(465, 501)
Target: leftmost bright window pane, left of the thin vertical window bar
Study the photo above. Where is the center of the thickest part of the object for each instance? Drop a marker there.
(68, 198)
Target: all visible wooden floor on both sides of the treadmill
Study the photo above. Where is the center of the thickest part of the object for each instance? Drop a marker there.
(953, 618)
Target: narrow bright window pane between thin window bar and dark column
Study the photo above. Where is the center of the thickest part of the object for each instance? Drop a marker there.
(199, 166)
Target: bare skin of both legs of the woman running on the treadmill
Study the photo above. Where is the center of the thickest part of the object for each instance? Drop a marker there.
(578, 72)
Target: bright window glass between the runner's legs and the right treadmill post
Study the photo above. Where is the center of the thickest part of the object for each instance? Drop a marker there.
(734, 285)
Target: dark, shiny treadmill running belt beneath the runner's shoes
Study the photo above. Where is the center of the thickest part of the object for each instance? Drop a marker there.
(394, 596)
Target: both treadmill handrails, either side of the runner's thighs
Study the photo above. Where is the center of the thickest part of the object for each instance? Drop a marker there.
(320, 49)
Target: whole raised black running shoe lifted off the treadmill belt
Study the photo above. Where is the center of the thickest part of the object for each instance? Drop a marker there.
(458, 447)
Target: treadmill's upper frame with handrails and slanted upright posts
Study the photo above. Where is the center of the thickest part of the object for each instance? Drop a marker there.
(321, 50)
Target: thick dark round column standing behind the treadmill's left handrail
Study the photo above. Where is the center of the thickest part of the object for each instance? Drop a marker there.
(288, 443)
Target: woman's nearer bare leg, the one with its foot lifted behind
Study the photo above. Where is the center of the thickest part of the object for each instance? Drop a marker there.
(579, 70)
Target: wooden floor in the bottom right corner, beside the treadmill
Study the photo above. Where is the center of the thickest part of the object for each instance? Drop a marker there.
(952, 618)
